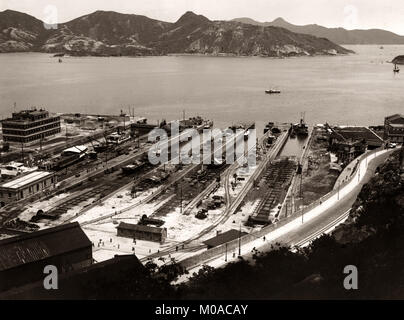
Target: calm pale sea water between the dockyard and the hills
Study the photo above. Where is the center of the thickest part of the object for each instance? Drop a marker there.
(354, 89)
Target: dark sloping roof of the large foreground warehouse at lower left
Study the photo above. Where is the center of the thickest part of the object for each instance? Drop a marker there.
(41, 245)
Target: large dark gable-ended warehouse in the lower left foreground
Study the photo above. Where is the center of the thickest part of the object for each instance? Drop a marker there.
(23, 258)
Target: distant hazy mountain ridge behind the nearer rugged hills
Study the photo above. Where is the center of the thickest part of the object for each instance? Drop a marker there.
(337, 35)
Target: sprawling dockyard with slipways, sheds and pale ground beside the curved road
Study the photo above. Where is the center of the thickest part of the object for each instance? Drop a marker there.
(100, 176)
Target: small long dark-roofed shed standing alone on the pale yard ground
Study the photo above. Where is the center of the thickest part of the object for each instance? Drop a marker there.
(142, 232)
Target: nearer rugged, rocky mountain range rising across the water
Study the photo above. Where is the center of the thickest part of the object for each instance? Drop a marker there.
(112, 33)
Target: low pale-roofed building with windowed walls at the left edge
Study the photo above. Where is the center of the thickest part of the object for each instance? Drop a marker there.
(26, 186)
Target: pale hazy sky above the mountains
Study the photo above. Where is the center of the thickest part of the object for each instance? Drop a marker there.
(351, 14)
